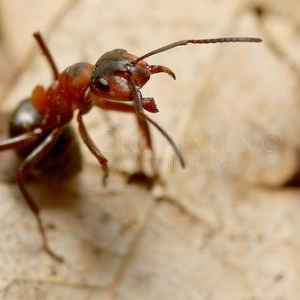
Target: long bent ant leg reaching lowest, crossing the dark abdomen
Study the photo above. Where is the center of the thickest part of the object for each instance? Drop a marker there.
(35, 156)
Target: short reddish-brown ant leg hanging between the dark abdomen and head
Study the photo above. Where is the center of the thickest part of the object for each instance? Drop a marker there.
(93, 148)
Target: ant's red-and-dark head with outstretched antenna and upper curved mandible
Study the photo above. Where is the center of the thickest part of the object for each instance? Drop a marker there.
(114, 69)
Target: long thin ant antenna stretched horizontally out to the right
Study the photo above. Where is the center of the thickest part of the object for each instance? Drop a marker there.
(200, 41)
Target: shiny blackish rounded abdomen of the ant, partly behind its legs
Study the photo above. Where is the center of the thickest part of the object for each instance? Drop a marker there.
(63, 160)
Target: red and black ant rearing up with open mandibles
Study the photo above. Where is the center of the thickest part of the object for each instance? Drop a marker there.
(39, 127)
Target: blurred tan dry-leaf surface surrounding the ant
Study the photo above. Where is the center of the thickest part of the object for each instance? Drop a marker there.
(226, 227)
